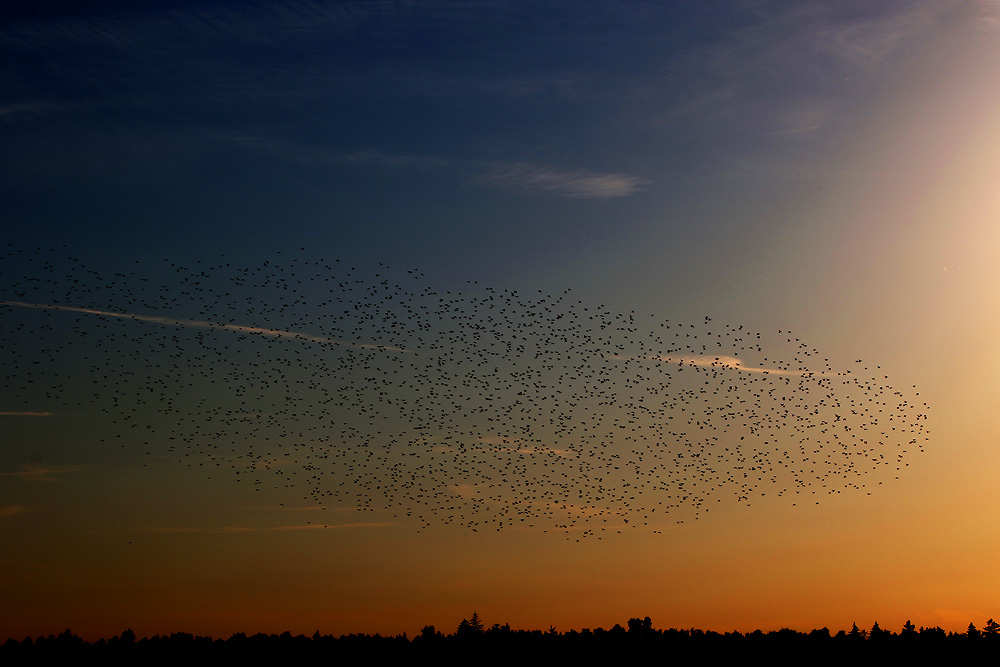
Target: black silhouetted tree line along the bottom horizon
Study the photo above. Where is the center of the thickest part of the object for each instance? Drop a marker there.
(472, 634)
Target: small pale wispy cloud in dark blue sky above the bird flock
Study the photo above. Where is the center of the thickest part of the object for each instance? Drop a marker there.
(574, 184)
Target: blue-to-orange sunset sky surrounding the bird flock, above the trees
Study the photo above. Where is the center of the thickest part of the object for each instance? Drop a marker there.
(824, 168)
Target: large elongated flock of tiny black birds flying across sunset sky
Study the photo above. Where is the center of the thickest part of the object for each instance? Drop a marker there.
(488, 408)
